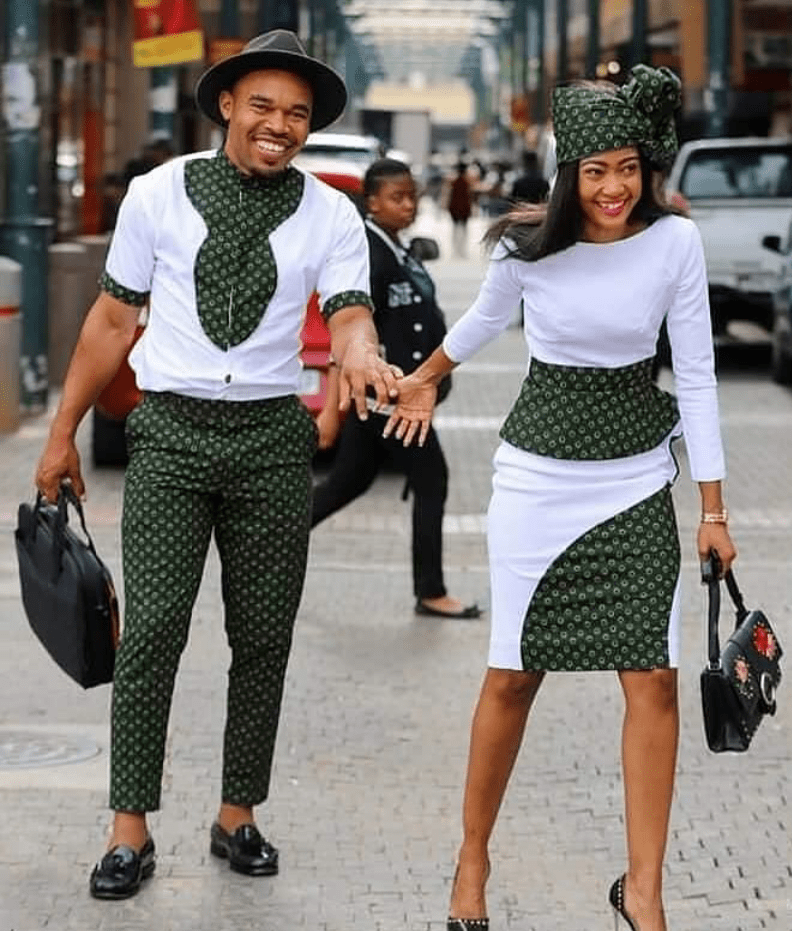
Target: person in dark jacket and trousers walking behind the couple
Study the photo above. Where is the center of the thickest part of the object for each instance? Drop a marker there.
(409, 325)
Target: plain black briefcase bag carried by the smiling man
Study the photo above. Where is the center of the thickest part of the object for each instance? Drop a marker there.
(67, 590)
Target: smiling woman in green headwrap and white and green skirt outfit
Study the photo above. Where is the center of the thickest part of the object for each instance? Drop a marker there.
(584, 551)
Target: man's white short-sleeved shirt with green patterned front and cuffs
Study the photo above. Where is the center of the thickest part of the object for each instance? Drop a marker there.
(227, 264)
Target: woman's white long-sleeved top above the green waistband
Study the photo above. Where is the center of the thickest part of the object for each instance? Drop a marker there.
(602, 305)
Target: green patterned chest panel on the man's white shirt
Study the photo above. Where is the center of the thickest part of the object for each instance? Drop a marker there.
(235, 270)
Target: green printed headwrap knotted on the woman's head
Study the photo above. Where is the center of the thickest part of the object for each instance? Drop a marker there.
(640, 113)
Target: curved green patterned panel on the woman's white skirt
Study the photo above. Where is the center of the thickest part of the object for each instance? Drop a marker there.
(605, 602)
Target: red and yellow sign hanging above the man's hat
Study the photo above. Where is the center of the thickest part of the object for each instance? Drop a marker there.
(167, 32)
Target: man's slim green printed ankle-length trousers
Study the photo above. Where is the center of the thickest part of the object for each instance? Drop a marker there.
(240, 470)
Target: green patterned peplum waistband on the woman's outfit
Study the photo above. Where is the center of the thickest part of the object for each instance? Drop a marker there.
(575, 412)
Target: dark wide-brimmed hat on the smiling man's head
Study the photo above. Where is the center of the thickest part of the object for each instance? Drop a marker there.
(281, 50)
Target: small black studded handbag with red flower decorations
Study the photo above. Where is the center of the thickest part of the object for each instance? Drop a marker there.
(738, 685)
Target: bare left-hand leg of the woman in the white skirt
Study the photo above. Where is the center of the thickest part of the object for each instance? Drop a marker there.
(496, 733)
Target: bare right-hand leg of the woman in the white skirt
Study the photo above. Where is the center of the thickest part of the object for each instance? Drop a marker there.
(649, 748)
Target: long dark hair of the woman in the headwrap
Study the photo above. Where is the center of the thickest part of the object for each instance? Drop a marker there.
(534, 231)
